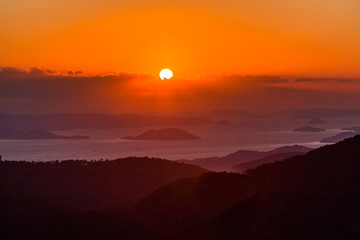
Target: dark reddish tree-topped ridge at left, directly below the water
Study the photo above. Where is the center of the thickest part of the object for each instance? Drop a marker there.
(92, 185)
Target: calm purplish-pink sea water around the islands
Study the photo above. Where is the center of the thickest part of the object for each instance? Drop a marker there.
(216, 140)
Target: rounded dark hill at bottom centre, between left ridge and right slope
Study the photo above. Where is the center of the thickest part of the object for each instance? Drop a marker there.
(188, 202)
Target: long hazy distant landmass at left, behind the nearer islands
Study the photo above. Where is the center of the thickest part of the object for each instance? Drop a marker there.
(69, 121)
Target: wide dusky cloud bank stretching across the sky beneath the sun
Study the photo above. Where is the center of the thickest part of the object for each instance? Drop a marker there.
(40, 90)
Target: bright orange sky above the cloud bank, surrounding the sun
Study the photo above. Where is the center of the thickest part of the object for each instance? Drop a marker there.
(307, 37)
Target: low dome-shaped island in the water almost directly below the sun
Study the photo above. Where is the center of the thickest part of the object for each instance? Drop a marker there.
(164, 134)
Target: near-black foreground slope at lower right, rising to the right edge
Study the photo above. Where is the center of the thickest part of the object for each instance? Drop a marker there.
(314, 196)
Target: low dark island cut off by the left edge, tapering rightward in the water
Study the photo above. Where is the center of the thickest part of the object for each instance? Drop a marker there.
(6, 133)
